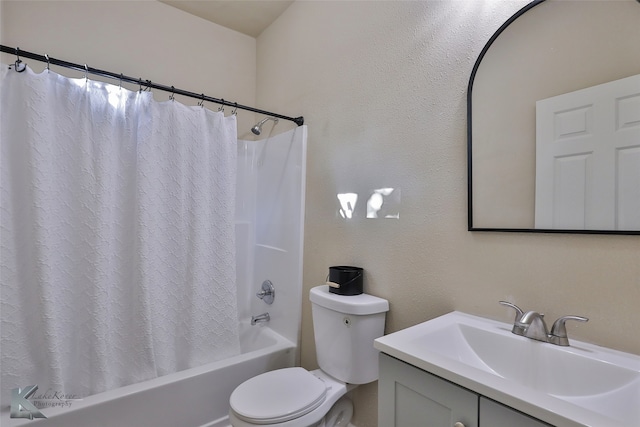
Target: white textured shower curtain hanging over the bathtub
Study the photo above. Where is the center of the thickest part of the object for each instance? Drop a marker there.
(118, 238)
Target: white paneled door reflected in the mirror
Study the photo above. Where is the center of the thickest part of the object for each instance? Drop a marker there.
(588, 158)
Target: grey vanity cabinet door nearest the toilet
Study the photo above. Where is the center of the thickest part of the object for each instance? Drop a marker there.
(411, 397)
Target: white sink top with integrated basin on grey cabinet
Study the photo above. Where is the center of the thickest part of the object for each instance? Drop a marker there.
(581, 385)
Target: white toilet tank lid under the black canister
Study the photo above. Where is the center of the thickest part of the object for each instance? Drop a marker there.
(353, 304)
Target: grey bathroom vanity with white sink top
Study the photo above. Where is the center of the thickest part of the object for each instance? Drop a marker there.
(460, 370)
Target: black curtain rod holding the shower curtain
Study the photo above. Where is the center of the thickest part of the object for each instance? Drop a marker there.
(147, 84)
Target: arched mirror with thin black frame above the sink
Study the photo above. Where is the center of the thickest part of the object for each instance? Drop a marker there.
(554, 121)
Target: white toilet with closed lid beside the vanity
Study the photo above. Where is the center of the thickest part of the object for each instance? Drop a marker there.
(344, 329)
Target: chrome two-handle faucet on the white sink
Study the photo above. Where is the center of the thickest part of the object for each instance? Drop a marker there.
(531, 325)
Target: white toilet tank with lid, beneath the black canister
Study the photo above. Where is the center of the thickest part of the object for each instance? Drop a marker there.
(344, 329)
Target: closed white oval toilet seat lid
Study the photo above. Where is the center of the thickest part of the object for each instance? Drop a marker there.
(278, 396)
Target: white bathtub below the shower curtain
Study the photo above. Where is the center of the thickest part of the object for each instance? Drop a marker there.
(197, 397)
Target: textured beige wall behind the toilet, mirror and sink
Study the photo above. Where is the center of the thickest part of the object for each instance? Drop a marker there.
(382, 86)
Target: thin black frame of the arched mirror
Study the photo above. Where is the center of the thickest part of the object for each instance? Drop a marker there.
(470, 226)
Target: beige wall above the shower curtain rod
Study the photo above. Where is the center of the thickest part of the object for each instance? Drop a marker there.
(142, 38)
